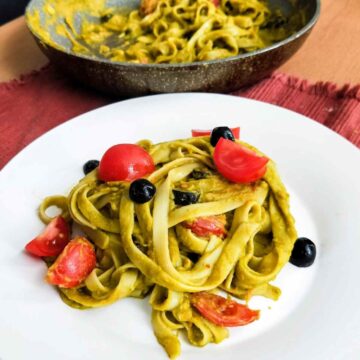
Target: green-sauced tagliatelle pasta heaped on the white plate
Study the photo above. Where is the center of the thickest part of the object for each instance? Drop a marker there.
(151, 248)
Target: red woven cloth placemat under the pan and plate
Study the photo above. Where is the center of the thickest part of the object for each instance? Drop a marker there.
(41, 100)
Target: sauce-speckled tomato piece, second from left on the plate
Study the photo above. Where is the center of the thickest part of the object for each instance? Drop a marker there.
(73, 265)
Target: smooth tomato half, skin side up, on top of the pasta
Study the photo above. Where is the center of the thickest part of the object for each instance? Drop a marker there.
(125, 162)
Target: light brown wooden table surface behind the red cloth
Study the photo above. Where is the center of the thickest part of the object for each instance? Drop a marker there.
(331, 53)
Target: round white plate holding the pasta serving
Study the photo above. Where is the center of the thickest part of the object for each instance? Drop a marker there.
(317, 316)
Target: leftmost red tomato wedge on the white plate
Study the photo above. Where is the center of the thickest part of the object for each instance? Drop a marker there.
(52, 240)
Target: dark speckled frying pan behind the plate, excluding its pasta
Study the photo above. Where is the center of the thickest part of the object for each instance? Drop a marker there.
(225, 75)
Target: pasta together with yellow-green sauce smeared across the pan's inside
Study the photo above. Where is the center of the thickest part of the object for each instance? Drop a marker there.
(162, 31)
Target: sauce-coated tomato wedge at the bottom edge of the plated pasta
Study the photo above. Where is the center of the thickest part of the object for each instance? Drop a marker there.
(222, 311)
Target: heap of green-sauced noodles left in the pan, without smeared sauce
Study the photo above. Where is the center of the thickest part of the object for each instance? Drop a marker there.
(182, 31)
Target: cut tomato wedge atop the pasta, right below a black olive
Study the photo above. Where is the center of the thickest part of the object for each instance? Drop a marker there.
(237, 163)
